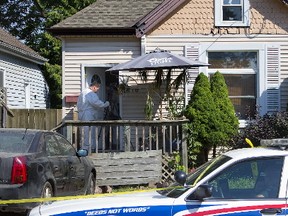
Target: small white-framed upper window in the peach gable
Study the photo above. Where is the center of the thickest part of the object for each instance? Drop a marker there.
(234, 13)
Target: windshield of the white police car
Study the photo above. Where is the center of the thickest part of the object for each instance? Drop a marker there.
(175, 190)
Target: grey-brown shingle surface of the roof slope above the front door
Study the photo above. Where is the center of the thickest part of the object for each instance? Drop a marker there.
(109, 14)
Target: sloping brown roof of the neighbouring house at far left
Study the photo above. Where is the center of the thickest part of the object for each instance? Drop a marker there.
(11, 44)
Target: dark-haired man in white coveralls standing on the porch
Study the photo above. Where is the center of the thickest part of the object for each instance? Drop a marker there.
(89, 105)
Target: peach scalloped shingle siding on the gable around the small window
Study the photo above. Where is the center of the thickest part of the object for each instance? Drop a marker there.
(197, 17)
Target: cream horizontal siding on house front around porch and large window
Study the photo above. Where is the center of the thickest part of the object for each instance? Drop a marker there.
(93, 51)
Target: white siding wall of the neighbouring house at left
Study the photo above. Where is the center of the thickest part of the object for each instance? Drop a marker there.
(18, 73)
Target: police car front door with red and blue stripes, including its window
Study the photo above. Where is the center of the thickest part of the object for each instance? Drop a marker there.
(249, 187)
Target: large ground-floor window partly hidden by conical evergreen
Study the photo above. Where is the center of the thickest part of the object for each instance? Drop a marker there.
(239, 70)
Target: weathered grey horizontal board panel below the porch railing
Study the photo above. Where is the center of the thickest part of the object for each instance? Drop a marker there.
(128, 168)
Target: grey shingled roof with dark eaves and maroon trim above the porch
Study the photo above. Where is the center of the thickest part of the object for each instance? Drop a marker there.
(121, 17)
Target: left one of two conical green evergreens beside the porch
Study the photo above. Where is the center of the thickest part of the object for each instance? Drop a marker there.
(201, 113)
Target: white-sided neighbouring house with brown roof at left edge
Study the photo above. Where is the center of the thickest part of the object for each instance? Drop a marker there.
(22, 83)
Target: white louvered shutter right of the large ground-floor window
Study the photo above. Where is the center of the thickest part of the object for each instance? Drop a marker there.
(273, 79)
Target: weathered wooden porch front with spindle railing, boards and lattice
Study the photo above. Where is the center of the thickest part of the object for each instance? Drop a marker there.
(131, 151)
